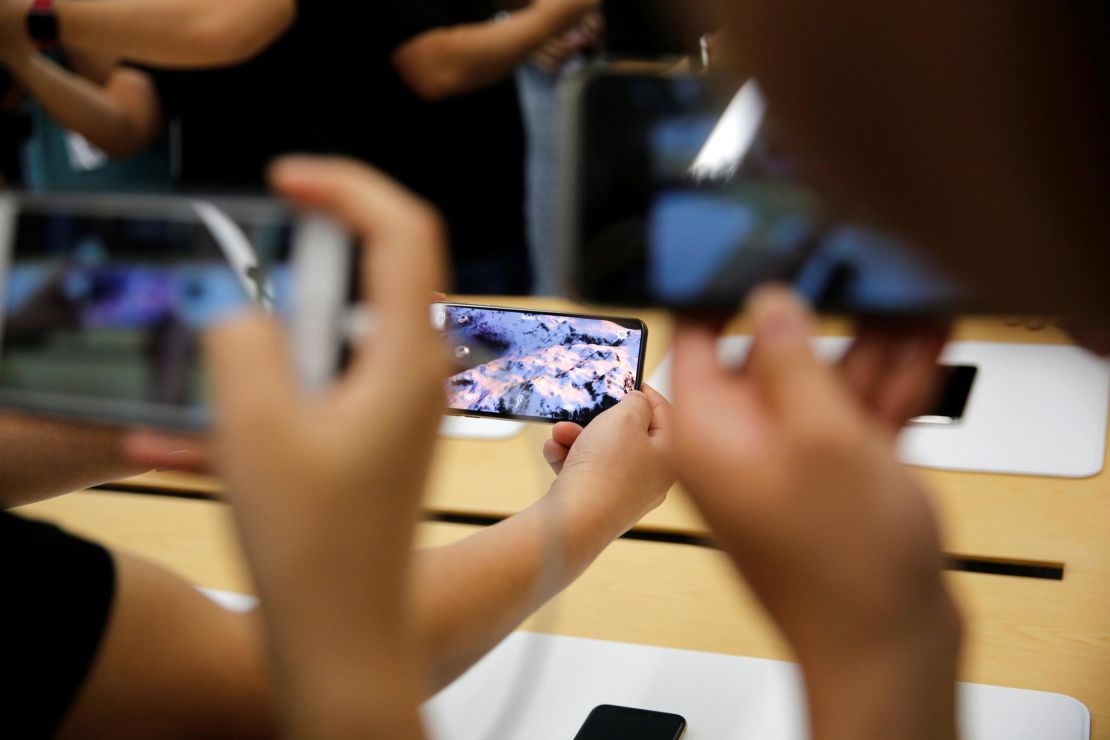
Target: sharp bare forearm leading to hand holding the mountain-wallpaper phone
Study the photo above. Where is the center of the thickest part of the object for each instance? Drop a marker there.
(471, 595)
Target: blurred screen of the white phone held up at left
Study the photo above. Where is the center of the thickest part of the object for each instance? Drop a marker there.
(112, 308)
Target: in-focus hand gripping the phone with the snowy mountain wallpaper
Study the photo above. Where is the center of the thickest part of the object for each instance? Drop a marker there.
(621, 462)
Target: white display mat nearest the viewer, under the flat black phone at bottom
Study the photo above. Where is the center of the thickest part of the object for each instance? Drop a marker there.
(542, 687)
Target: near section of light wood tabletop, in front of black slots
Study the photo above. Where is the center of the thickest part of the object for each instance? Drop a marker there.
(1023, 633)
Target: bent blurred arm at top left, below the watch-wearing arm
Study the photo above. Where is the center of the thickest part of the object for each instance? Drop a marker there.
(122, 117)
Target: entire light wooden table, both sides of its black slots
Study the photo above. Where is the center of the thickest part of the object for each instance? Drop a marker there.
(1053, 635)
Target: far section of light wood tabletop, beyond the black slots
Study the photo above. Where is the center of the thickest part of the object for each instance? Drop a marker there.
(1008, 518)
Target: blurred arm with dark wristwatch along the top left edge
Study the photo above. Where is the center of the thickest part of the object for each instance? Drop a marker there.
(163, 33)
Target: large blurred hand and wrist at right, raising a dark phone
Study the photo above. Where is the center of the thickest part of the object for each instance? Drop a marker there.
(799, 480)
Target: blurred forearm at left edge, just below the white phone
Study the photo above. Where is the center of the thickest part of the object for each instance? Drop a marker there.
(44, 459)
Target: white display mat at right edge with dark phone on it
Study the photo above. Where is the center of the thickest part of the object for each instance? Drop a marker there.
(1034, 410)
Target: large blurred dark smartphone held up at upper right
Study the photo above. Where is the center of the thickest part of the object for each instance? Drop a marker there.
(677, 196)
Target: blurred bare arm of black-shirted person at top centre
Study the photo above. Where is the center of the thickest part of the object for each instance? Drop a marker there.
(453, 60)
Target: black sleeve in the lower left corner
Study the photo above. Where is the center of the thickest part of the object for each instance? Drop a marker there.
(59, 594)
